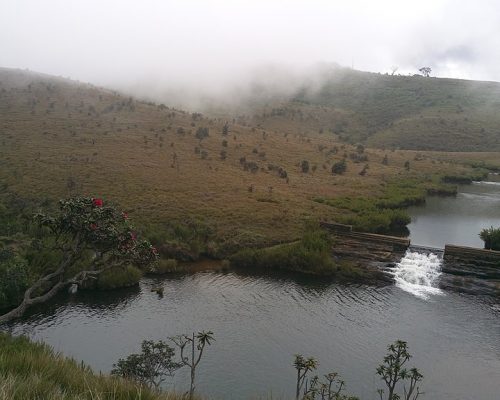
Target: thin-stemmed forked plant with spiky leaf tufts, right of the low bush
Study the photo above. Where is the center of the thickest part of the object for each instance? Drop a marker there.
(196, 343)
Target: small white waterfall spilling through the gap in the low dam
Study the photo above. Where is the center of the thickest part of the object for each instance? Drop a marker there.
(418, 273)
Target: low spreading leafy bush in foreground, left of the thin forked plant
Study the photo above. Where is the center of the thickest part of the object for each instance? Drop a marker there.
(150, 367)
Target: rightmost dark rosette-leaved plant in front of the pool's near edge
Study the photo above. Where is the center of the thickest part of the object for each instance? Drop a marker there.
(393, 370)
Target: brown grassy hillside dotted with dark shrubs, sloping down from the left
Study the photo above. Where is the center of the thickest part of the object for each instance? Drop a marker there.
(244, 188)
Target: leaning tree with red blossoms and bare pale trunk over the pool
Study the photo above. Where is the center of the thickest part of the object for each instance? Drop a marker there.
(86, 238)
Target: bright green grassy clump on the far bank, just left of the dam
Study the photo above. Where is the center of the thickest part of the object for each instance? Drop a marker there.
(311, 254)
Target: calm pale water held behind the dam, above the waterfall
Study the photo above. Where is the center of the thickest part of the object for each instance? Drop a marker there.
(457, 220)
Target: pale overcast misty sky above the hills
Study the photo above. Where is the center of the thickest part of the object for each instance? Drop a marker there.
(212, 44)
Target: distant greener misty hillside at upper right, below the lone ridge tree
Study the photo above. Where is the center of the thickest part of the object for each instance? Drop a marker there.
(387, 111)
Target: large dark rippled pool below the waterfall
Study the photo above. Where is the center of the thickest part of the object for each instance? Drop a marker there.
(260, 322)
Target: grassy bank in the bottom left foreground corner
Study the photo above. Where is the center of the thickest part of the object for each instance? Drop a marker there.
(34, 371)
